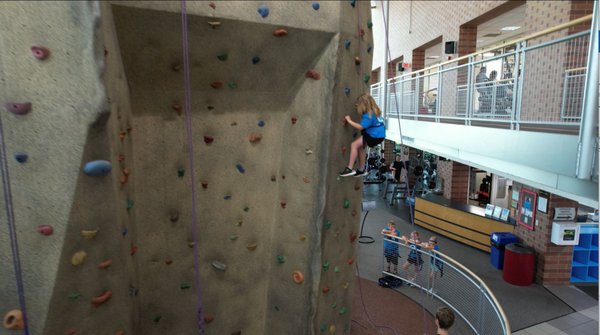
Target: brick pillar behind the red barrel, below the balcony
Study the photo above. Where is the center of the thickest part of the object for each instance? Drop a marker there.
(553, 262)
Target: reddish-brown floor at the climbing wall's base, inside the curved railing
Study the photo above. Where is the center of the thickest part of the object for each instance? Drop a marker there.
(391, 310)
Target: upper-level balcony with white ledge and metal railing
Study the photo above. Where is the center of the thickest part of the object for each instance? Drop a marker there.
(526, 120)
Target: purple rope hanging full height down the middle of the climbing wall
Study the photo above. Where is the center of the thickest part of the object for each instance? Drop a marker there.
(190, 142)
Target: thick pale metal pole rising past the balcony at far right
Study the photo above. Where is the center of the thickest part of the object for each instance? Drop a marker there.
(589, 113)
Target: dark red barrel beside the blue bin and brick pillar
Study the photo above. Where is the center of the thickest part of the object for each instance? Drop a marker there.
(519, 264)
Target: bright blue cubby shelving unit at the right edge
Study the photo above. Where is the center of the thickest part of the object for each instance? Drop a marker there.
(584, 267)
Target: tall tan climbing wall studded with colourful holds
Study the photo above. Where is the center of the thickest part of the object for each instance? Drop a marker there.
(275, 227)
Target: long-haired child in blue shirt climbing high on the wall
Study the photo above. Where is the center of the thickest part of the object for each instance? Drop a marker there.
(372, 130)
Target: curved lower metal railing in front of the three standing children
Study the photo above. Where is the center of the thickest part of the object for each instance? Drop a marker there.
(448, 281)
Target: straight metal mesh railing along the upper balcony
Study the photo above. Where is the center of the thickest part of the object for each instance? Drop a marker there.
(537, 82)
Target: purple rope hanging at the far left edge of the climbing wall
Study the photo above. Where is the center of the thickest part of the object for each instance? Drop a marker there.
(14, 245)
